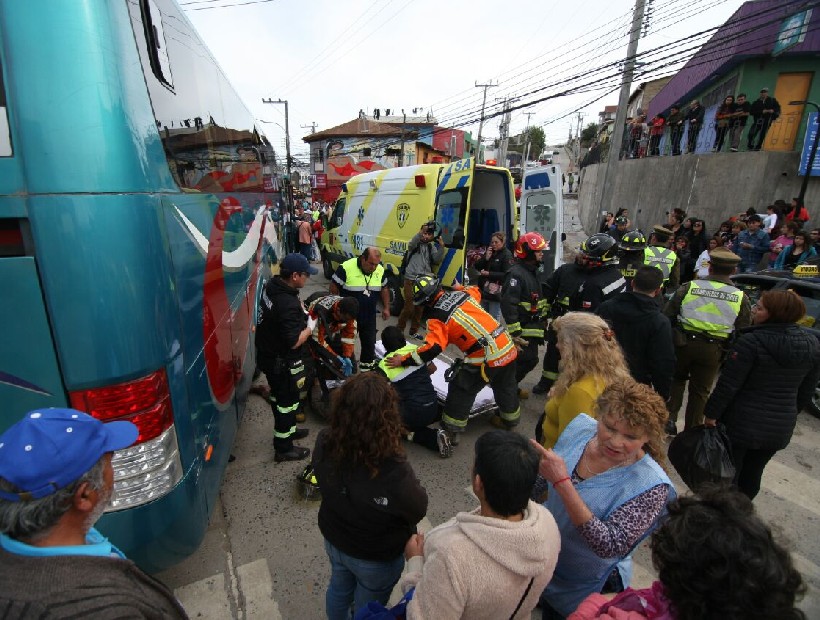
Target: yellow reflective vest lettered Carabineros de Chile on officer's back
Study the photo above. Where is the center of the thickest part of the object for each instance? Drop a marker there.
(710, 308)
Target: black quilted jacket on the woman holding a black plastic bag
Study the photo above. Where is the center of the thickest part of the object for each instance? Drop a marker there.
(768, 377)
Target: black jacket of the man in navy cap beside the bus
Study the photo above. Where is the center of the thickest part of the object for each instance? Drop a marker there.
(283, 319)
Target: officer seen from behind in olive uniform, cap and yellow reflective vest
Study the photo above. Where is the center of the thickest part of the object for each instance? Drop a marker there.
(705, 313)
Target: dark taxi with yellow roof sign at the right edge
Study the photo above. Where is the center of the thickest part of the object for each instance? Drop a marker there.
(805, 281)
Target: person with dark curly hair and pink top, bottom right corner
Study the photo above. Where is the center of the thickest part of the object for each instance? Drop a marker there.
(716, 560)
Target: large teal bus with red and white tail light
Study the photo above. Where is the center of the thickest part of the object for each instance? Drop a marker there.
(135, 202)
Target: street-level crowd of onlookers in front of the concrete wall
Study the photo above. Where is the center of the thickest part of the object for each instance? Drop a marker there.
(775, 239)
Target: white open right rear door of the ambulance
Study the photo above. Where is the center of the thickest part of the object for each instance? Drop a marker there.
(541, 208)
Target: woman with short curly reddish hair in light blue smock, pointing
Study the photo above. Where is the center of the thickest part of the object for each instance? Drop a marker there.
(607, 490)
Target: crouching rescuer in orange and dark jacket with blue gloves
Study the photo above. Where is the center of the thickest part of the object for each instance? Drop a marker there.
(335, 317)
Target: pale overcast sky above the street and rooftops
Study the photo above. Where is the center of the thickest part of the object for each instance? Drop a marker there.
(332, 59)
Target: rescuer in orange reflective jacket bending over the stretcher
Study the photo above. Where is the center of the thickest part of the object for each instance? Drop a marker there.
(456, 317)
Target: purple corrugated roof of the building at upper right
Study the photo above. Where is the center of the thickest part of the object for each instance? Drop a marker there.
(752, 31)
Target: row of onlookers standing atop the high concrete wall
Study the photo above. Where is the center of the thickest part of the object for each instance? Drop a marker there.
(685, 127)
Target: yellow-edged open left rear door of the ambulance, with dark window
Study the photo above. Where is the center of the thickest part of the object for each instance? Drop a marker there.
(452, 216)
